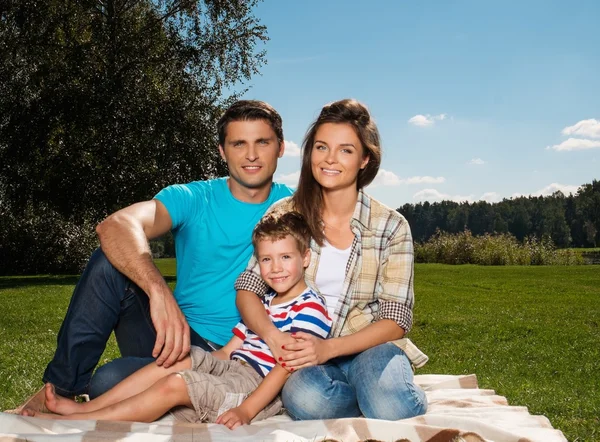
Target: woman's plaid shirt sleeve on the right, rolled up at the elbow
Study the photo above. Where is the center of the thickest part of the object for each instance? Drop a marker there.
(396, 293)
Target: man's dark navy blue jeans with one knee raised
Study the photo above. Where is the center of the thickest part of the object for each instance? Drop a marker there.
(104, 300)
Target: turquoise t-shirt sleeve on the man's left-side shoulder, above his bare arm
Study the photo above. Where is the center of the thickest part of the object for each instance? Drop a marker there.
(182, 201)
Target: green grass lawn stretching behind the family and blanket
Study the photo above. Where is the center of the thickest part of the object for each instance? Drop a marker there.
(530, 333)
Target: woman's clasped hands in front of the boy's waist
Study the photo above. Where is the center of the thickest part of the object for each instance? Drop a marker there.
(307, 350)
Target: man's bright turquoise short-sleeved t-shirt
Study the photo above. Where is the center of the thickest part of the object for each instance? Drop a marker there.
(213, 234)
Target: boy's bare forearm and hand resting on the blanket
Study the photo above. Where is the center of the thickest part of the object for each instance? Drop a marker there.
(268, 389)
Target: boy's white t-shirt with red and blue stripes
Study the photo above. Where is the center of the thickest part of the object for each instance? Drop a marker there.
(305, 313)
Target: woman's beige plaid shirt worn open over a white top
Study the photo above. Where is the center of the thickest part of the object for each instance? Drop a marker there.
(379, 273)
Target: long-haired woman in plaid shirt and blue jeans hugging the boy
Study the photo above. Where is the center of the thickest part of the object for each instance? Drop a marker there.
(362, 263)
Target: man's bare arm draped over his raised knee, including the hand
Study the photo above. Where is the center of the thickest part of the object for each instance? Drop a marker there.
(124, 239)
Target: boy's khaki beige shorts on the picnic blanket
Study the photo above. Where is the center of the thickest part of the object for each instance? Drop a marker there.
(215, 386)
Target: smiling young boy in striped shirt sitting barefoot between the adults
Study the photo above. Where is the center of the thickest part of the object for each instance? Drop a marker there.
(237, 383)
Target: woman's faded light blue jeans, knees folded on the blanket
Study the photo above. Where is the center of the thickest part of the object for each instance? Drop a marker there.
(377, 383)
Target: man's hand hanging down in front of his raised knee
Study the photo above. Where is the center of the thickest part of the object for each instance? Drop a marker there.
(172, 330)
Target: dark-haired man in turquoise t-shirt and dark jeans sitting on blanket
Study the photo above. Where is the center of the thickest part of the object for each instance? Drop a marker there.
(122, 290)
